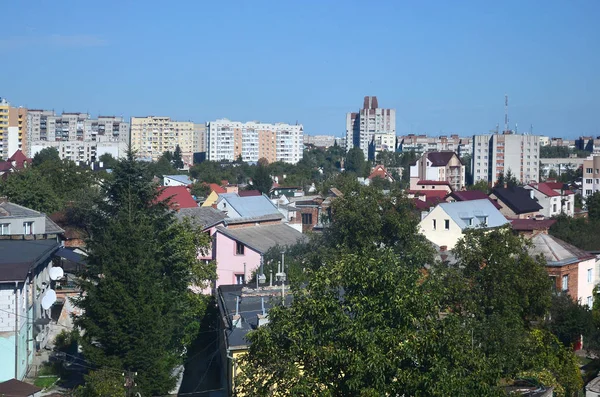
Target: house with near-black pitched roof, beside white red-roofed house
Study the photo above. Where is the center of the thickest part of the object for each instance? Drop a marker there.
(516, 202)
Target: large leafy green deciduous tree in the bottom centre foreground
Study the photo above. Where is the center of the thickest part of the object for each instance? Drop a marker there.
(366, 324)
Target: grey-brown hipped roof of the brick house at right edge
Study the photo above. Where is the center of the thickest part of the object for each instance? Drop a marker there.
(557, 252)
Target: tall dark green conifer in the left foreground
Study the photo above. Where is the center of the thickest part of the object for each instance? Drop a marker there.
(138, 313)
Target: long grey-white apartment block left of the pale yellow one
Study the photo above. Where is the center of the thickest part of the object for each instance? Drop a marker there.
(76, 136)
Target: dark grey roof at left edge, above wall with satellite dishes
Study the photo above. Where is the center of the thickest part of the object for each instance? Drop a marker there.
(18, 257)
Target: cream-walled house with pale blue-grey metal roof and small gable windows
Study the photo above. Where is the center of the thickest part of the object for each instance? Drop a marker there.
(445, 224)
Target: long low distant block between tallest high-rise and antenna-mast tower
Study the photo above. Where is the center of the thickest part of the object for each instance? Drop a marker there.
(422, 143)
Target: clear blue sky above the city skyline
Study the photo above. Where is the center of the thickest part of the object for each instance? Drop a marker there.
(443, 65)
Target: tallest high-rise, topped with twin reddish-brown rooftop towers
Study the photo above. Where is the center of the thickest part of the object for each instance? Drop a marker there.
(361, 128)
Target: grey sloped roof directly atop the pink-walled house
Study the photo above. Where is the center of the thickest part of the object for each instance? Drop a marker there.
(261, 238)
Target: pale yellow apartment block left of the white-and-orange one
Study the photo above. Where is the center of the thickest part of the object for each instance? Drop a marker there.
(151, 136)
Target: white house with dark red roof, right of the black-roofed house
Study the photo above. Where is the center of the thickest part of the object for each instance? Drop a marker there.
(554, 197)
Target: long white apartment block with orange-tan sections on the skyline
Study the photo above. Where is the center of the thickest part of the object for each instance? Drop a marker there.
(229, 140)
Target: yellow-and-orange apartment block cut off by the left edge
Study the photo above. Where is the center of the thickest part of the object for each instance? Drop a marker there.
(13, 129)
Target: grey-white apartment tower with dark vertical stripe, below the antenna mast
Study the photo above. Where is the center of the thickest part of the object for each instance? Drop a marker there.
(498, 153)
